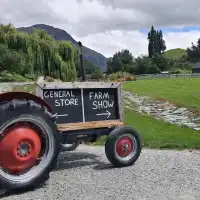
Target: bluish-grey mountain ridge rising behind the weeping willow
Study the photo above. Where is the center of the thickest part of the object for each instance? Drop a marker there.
(59, 34)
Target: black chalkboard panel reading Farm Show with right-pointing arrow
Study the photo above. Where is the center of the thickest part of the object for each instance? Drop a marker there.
(100, 104)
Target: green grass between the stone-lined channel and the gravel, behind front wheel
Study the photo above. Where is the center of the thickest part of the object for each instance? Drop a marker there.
(157, 134)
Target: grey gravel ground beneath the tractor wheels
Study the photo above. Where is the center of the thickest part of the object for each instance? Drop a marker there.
(85, 174)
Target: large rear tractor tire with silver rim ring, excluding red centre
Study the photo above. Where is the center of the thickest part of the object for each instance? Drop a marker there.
(20, 111)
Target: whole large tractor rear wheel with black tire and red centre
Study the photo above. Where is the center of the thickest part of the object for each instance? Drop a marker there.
(29, 145)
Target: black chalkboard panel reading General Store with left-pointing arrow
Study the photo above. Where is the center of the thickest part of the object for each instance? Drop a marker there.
(66, 104)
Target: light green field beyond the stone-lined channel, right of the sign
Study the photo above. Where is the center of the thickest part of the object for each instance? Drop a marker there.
(180, 91)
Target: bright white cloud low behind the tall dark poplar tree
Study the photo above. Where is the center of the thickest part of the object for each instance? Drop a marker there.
(110, 42)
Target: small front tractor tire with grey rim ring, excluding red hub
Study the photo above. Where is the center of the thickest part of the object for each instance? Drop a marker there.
(110, 146)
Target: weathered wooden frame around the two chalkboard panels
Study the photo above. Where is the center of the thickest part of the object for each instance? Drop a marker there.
(86, 85)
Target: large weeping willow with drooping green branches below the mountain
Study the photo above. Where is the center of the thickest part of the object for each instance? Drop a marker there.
(36, 53)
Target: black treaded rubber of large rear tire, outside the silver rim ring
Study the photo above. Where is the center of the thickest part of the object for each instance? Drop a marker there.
(15, 106)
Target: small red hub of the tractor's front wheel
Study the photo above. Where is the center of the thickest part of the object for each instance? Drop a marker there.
(124, 146)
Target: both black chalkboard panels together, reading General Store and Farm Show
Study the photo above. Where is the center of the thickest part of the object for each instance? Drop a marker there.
(72, 105)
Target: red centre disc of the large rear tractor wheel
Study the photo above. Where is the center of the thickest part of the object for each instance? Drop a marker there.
(20, 148)
